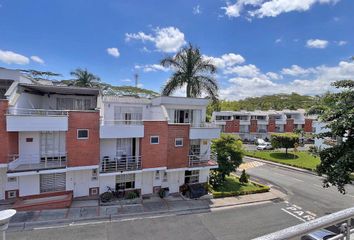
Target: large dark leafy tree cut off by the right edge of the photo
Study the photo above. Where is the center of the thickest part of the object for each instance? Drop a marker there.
(337, 111)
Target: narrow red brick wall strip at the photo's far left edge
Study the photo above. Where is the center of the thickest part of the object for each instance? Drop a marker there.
(8, 140)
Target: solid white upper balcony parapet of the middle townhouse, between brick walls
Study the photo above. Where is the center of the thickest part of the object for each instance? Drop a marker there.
(121, 129)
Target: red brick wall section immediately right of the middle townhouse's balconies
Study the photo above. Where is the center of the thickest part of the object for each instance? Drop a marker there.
(154, 155)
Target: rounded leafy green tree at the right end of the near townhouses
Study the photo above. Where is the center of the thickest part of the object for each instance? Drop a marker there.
(229, 152)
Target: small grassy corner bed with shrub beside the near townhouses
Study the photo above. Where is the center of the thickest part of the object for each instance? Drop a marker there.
(232, 187)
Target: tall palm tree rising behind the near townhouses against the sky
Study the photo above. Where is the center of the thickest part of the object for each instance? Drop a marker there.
(192, 70)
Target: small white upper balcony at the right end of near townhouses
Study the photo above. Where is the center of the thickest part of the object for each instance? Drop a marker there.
(204, 131)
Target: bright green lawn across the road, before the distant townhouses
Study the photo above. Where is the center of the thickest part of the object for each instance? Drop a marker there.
(299, 159)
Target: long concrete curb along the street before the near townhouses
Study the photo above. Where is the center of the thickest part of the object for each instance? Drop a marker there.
(26, 226)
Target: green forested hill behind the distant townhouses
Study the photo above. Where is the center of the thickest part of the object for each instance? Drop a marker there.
(267, 102)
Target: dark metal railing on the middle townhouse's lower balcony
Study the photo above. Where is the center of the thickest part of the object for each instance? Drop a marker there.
(120, 163)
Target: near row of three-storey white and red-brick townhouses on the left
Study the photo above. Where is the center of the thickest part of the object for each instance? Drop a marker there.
(57, 138)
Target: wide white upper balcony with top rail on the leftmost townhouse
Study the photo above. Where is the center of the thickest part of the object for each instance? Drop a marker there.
(24, 120)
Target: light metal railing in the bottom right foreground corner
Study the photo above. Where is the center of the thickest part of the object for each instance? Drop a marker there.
(296, 232)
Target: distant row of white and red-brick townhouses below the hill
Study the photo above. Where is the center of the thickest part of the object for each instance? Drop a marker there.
(260, 124)
